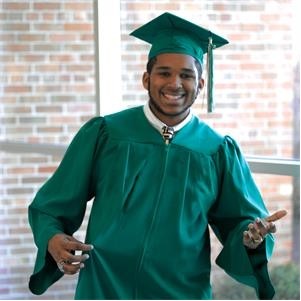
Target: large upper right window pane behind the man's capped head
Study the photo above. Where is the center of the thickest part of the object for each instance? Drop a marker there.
(256, 76)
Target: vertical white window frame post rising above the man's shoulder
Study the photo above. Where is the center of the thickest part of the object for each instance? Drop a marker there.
(108, 56)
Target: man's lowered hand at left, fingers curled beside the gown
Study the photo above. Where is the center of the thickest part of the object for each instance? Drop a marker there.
(62, 248)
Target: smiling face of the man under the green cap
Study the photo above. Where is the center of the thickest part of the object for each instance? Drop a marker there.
(173, 86)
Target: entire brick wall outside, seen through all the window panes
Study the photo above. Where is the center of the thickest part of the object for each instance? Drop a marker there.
(47, 92)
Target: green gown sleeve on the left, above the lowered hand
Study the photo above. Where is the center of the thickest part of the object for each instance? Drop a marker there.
(59, 206)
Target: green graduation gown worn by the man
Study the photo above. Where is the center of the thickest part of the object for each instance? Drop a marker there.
(152, 206)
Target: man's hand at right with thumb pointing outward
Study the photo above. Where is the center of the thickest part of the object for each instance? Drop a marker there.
(257, 231)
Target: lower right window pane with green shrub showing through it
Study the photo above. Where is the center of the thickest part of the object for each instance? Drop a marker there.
(279, 192)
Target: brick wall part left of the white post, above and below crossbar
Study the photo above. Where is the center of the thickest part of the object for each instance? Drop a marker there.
(47, 92)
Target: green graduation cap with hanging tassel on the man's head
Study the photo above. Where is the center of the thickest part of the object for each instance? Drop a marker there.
(171, 34)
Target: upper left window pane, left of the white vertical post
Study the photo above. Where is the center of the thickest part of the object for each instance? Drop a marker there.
(47, 69)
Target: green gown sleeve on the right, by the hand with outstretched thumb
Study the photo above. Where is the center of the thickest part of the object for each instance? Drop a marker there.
(238, 204)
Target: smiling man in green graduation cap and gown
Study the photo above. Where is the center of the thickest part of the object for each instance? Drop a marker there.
(159, 176)
